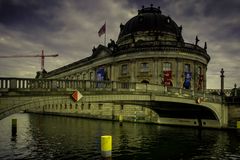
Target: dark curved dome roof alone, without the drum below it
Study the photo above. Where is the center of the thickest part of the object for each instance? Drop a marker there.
(150, 19)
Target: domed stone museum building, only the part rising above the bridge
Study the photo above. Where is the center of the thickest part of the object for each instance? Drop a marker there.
(150, 49)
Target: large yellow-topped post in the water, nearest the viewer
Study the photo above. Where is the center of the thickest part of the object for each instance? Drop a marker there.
(106, 146)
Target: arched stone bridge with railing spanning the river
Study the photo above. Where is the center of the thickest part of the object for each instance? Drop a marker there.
(19, 94)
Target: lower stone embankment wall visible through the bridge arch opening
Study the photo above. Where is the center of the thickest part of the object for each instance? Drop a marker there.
(106, 111)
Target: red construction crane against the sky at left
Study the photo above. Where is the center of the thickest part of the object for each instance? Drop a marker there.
(23, 56)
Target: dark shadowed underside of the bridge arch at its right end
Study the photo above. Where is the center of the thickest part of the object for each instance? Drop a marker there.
(200, 113)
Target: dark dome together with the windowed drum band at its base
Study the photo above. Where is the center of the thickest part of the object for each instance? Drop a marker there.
(150, 22)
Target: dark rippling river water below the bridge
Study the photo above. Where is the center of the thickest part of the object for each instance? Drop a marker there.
(54, 137)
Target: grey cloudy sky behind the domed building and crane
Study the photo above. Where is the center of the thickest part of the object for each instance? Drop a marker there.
(69, 28)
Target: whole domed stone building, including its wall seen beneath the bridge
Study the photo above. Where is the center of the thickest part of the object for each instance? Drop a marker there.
(149, 49)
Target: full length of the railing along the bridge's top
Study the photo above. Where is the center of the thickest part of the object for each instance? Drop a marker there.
(88, 85)
